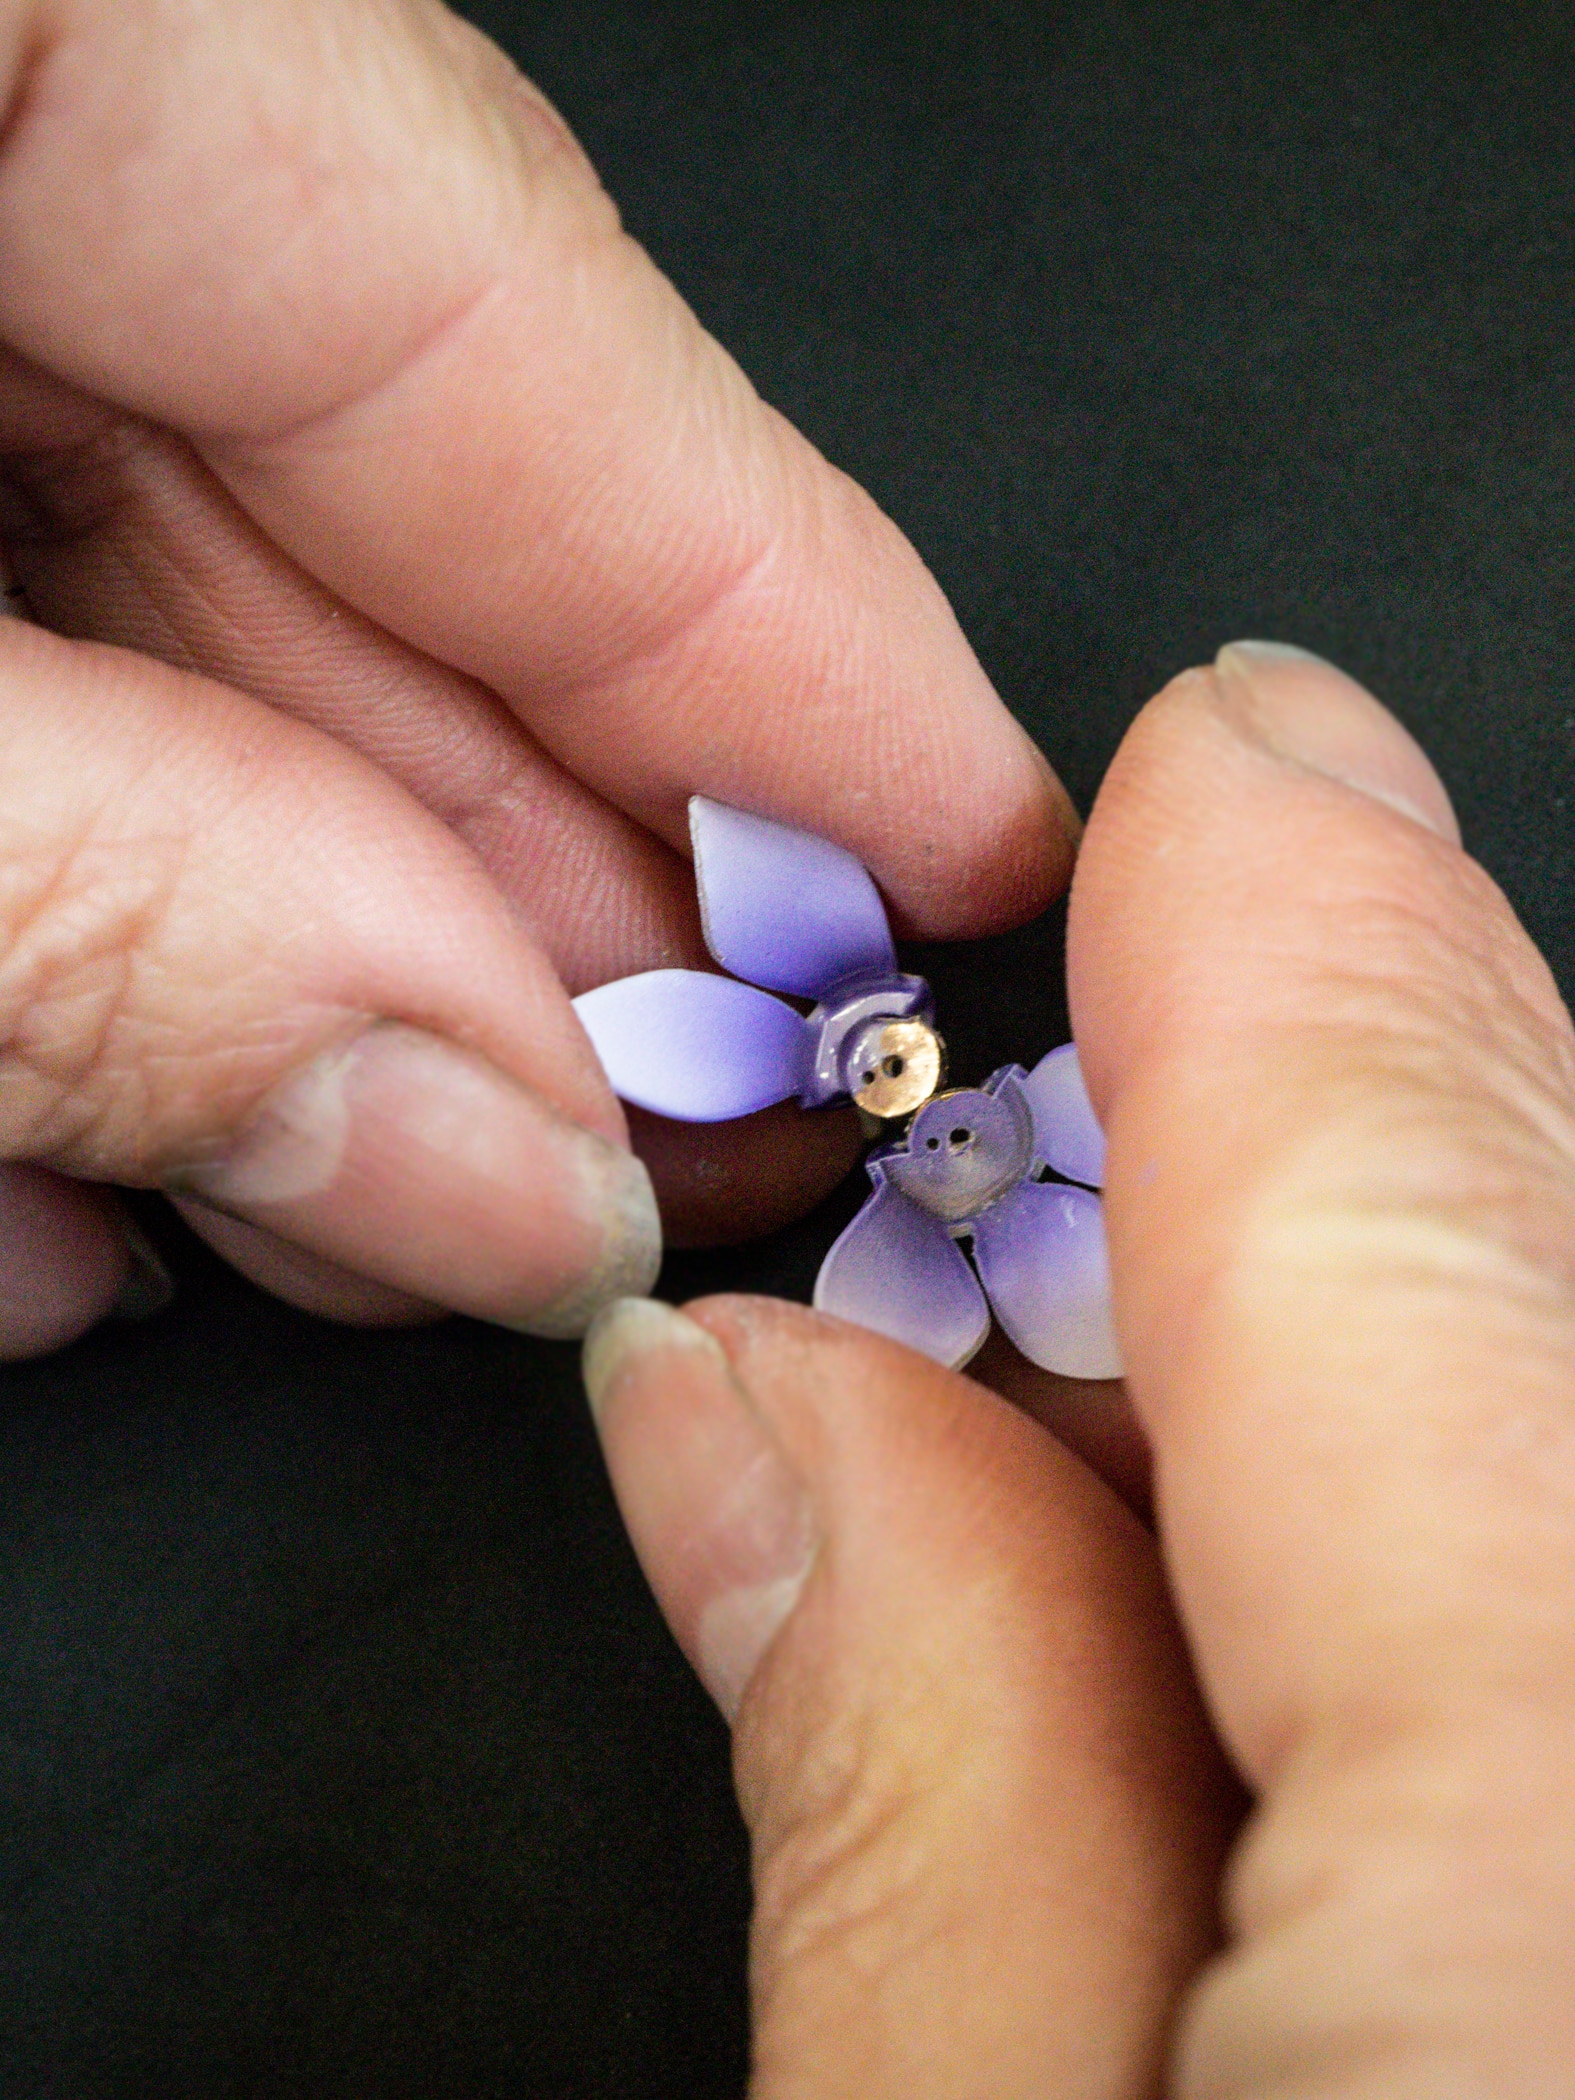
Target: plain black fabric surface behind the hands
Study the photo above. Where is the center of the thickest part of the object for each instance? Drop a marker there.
(341, 1750)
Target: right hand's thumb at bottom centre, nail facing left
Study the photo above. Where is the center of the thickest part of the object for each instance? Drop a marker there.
(984, 1803)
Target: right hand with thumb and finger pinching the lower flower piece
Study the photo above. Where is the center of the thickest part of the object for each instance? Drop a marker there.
(986, 1809)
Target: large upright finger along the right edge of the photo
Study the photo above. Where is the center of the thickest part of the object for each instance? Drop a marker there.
(1341, 1099)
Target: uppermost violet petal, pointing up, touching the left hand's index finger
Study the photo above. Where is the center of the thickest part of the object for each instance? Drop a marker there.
(782, 908)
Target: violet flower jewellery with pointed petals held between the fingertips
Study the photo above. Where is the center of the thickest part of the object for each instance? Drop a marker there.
(793, 915)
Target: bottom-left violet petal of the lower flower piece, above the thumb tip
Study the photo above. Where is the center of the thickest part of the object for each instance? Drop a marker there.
(900, 1272)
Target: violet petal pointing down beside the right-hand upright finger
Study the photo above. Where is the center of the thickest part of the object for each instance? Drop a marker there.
(1047, 1272)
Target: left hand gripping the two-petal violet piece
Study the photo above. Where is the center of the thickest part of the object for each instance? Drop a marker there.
(446, 558)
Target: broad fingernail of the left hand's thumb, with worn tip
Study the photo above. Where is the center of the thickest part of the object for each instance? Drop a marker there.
(423, 1167)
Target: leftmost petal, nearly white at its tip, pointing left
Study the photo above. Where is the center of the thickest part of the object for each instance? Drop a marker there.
(696, 1047)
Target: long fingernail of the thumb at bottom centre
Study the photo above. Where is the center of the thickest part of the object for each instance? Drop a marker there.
(719, 1517)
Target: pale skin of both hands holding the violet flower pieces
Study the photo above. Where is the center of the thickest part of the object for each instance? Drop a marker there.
(404, 555)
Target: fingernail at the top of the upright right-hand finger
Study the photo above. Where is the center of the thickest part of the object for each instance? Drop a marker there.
(1297, 707)
